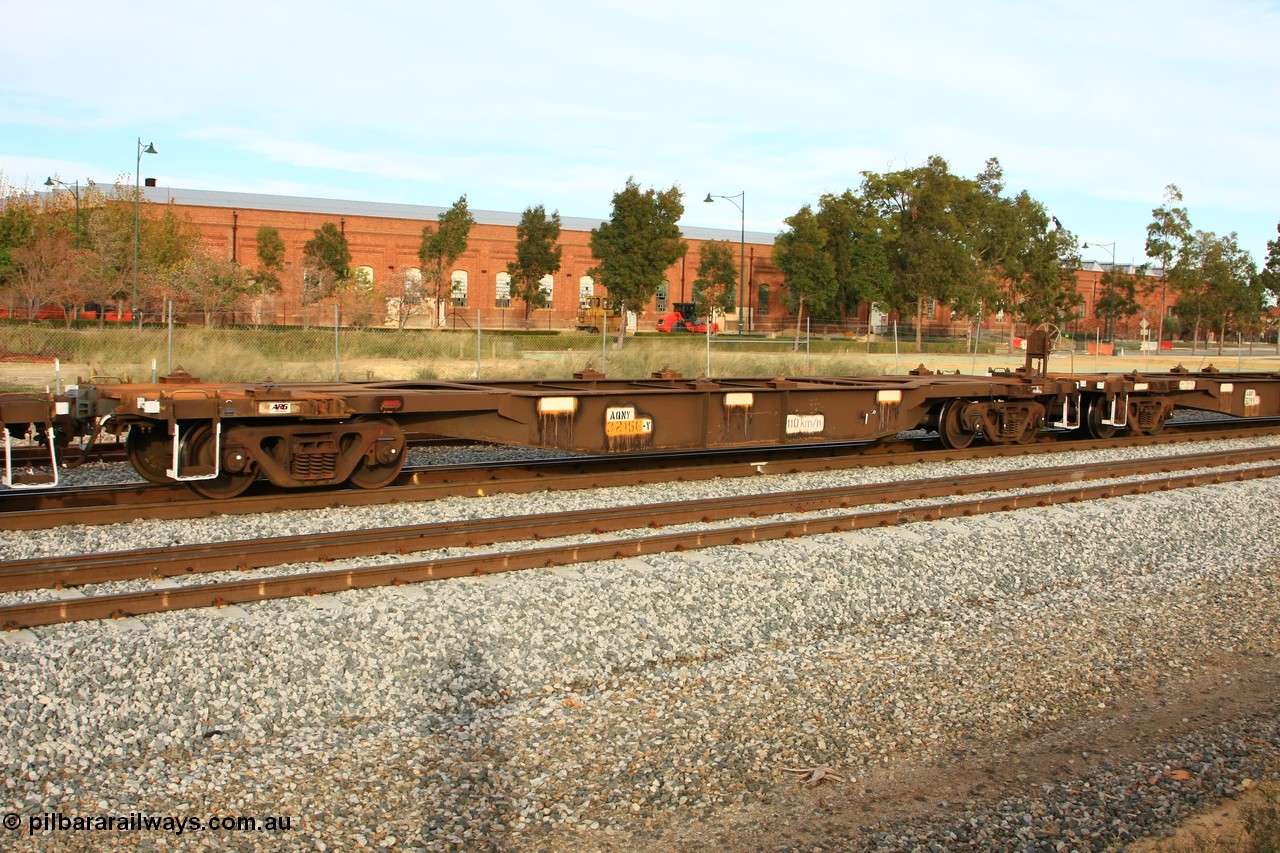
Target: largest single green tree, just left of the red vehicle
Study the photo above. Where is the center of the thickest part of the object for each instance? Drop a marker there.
(638, 245)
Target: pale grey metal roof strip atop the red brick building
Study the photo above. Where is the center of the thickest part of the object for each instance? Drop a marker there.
(422, 213)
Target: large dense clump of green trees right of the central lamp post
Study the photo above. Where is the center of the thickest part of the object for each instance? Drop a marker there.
(921, 235)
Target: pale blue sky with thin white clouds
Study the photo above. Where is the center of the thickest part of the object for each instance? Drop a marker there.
(1094, 108)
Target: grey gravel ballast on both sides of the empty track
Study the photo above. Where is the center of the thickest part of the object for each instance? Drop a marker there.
(595, 706)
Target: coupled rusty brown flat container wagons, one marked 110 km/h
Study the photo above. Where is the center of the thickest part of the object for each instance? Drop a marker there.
(221, 437)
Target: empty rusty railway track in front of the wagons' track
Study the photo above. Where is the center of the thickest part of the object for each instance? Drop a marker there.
(738, 519)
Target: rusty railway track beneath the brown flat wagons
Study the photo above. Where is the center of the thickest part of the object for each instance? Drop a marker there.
(36, 510)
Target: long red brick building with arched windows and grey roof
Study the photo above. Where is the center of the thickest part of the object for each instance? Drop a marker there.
(385, 240)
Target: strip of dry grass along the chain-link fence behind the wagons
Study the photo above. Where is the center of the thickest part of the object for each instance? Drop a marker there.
(51, 354)
